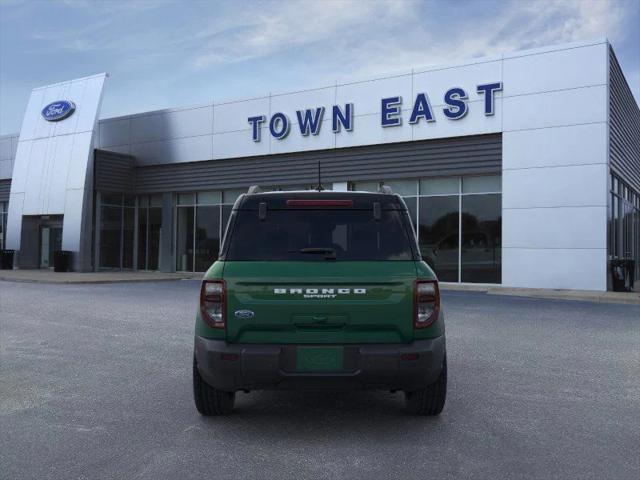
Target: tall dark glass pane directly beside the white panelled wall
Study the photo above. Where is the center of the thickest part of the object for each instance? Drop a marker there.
(481, 238)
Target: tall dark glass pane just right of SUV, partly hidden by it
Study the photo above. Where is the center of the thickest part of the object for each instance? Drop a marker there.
(438, 237)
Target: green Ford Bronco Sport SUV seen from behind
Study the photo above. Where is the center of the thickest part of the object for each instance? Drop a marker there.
(319, 290)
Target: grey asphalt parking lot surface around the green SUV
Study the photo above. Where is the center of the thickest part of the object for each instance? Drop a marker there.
(95, 382)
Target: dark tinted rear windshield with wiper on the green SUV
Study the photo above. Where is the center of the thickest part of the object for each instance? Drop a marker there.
(319, 235)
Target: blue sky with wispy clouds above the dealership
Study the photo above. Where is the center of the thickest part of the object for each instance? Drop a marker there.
(162, 54)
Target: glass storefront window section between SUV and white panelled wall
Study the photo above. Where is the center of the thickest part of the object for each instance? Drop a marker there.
(458, 223)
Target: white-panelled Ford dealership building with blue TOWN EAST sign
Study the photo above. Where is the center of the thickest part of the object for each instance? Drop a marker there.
(521, 169)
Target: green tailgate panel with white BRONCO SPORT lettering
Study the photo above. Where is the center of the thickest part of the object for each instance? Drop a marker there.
(319, 302)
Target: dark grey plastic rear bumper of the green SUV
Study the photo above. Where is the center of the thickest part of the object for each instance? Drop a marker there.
(232, 367)
